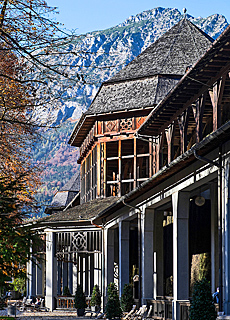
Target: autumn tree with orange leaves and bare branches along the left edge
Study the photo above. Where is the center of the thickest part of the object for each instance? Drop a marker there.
(26, 37)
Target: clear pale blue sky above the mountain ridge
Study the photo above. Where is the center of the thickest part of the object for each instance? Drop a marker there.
(91, 15)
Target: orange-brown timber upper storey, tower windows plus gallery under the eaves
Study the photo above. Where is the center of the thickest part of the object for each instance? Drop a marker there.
(119, 160)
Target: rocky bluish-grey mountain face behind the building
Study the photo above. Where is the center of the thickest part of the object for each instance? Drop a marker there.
(100, 55)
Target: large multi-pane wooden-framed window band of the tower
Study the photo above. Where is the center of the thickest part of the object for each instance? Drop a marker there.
(116, 166)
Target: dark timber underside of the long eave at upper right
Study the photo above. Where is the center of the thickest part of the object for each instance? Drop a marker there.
(193, 84)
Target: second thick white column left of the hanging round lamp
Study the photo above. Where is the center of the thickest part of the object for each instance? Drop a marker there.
(147, 255)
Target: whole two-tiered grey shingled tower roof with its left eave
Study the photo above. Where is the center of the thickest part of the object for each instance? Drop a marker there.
(149, 77)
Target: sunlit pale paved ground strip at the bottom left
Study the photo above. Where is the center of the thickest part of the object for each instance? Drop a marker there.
(55, 315)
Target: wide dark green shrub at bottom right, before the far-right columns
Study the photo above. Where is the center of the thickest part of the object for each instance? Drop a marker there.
(202, 305)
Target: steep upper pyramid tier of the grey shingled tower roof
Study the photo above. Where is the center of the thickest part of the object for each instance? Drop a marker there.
(172, 53)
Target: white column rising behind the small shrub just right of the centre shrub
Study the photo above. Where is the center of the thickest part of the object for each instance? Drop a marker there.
(123, 255)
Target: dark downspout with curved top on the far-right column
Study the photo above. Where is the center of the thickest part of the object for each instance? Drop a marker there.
(220, 217)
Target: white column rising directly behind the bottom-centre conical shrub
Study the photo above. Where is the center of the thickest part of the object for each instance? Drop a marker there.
(109, 257)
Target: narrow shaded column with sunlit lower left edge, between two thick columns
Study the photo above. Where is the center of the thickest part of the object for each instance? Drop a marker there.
(158, 265)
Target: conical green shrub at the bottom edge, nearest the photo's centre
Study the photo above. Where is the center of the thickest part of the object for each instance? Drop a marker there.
(113, 307)
